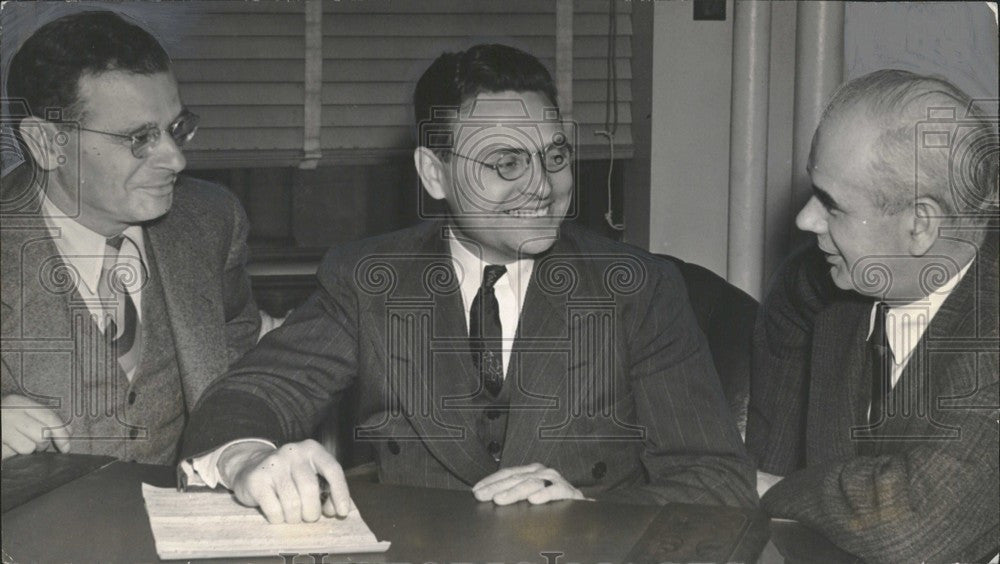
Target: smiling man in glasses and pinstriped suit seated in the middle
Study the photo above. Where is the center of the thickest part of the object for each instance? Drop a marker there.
(495, 349)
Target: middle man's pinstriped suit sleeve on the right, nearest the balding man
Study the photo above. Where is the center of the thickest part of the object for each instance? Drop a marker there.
(693, 452)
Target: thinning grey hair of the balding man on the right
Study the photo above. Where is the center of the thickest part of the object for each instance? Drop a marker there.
(962, 179)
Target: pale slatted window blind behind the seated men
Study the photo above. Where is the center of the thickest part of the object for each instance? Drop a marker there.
(242, 67)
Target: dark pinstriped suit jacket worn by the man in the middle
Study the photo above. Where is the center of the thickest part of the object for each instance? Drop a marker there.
(611, 380)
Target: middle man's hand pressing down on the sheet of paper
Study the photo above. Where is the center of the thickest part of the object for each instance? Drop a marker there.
(284, 483)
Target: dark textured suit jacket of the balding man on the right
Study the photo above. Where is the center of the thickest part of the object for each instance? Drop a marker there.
(922, 486)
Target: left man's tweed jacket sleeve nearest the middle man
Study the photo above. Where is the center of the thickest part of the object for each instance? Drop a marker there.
(242, 317)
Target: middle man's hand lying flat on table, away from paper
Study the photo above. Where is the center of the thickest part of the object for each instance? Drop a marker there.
(534, 482)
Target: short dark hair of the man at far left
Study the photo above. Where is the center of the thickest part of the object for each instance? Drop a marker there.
(46, 70)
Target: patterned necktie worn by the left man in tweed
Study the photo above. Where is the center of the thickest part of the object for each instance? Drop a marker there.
(123, 320)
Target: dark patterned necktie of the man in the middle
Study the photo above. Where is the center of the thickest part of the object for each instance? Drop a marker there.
(485, 332)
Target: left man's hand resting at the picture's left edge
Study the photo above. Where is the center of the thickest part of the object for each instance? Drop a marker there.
(29, 426)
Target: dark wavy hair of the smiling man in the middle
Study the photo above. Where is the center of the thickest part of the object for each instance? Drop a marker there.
(454, 78)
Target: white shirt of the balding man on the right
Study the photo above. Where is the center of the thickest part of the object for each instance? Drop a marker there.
(905, 324)
